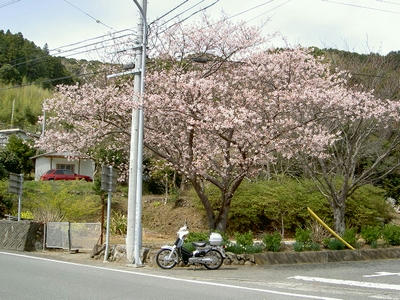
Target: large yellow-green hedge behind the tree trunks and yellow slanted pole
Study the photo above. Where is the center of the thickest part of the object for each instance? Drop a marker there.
(266, 205)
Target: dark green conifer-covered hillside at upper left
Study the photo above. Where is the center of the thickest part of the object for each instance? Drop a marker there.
(22, 61)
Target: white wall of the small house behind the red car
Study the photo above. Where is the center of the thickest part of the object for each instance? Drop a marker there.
(43, 164)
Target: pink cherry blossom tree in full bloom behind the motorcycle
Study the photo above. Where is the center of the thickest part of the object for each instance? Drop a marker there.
(218, 106)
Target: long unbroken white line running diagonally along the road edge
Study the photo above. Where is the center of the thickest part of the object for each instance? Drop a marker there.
(304, 296)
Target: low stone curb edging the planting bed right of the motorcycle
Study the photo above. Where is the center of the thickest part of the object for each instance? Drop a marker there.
(273, 258)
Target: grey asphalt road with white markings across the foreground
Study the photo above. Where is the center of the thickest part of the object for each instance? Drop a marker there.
(31, 277)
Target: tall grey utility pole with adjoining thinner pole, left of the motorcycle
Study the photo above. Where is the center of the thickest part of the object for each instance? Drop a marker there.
(134, 228)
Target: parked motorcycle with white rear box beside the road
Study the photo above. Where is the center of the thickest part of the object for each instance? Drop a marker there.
(209, 254)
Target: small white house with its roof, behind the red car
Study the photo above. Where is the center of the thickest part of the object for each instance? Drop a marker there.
(54, 160)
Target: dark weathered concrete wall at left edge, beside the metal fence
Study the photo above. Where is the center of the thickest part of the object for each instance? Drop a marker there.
(21, 236)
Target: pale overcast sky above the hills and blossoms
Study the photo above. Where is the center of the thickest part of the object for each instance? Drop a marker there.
(354, 25)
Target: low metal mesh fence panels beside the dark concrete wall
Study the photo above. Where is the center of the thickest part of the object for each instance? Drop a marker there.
(65, 235)
